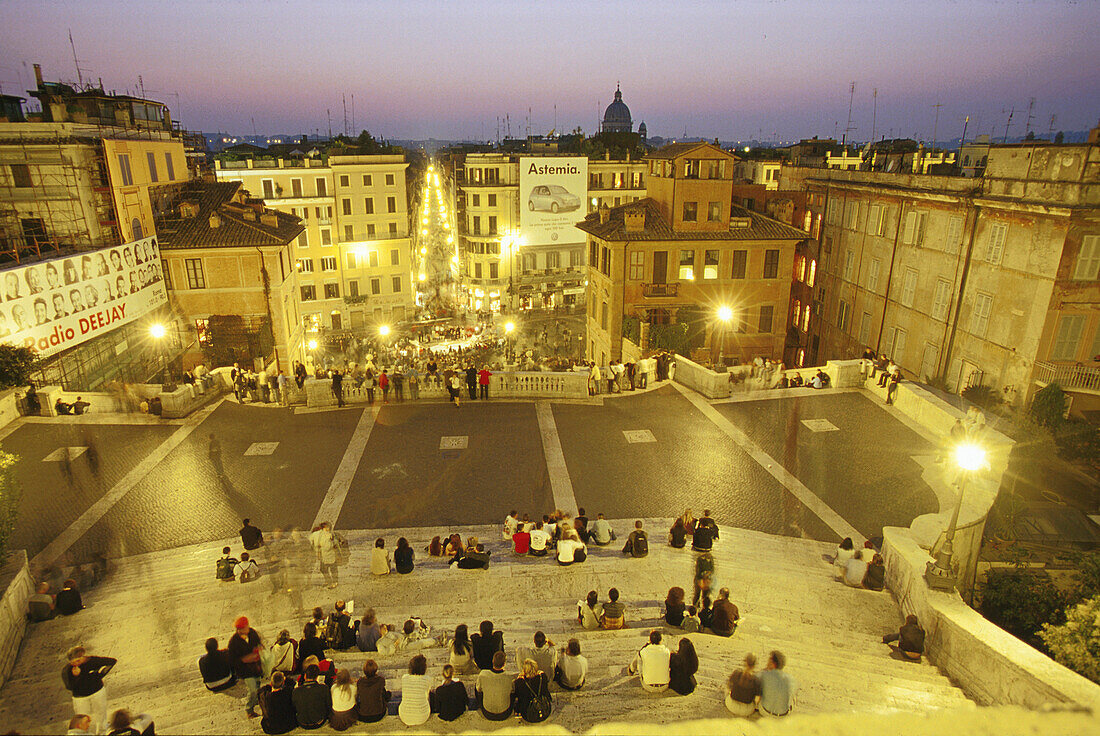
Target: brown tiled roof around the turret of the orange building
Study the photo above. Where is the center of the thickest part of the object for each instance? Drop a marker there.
(658, 228)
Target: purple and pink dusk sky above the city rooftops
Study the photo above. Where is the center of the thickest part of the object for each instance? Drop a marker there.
(448, 70)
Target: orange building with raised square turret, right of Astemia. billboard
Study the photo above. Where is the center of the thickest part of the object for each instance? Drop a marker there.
(683, 254)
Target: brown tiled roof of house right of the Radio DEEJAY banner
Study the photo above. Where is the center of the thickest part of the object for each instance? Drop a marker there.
(236, 228)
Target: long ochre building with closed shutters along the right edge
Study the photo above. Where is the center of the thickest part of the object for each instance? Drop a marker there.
(976, 281)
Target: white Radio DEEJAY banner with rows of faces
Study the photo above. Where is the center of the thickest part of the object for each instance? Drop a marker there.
(54, 305)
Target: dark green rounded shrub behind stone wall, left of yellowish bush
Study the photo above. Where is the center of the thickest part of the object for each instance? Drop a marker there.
(1021, 601)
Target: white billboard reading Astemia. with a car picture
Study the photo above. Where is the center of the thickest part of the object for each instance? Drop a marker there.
(553, 193)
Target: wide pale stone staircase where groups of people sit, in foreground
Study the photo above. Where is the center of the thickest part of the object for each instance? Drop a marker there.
(156, 611)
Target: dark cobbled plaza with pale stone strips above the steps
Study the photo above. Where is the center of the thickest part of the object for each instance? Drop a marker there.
(812, 465)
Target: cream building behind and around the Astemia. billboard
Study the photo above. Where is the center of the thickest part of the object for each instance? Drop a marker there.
(500, 269)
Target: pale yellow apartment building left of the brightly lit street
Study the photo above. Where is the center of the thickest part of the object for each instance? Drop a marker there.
(354, 256)
